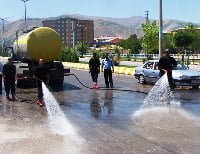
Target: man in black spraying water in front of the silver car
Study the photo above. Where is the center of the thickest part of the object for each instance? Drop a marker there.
(165, 65)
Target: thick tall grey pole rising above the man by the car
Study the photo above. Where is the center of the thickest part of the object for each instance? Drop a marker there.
(160, 28)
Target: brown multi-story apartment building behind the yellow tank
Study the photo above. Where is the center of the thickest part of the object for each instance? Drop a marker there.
(72, 30)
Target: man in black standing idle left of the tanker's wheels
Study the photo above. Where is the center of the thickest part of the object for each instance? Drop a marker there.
(9, 73)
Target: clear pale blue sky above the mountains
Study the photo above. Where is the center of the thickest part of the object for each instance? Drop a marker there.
(183, 10)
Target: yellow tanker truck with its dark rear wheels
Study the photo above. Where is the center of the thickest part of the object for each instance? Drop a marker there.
(28, 48)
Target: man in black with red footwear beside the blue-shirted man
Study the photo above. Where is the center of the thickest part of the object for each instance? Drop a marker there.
(94, 65)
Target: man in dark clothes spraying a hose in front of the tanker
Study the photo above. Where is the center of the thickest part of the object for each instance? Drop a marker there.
(41, 74)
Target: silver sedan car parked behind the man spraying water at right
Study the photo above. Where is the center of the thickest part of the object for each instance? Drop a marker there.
(182, 76)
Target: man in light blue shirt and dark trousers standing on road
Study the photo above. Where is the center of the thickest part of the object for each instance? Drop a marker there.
(106, 67)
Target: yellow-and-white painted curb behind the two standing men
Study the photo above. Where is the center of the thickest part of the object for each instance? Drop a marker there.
(117, 69)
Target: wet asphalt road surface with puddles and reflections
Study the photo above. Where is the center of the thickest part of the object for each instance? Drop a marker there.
(105, 121)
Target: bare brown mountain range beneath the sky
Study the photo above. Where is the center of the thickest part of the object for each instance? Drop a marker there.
(103, 26)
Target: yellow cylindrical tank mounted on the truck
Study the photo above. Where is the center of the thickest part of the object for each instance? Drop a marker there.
(42, 42)
